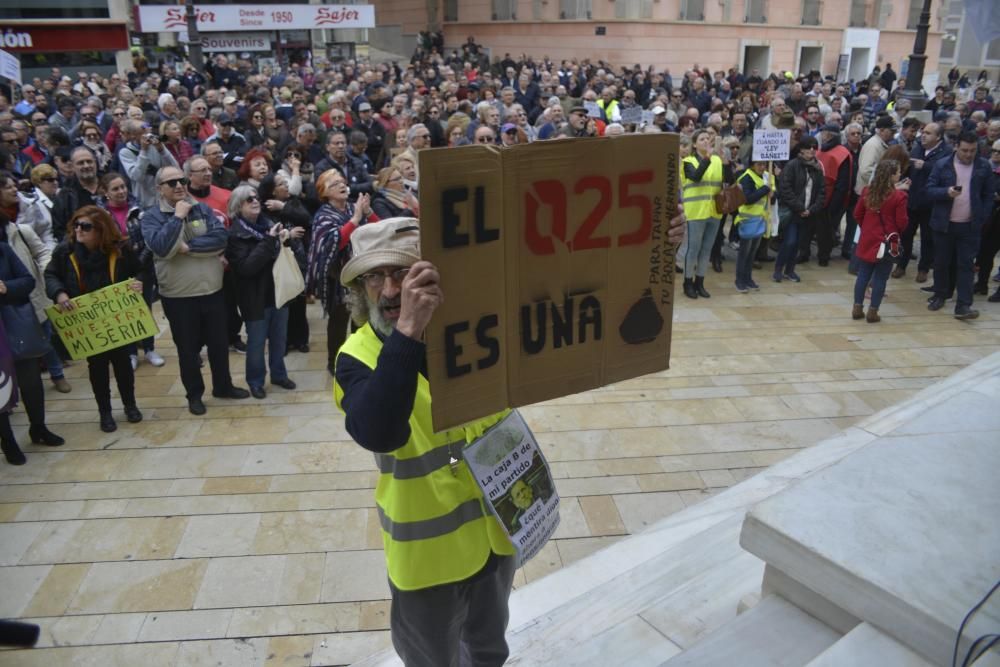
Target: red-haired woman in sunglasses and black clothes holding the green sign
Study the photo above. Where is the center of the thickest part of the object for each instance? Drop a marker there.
(92, 257)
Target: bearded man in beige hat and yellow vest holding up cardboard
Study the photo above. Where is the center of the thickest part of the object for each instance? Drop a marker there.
(450, 564)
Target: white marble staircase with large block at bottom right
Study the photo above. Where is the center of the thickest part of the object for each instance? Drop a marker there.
(876, 543)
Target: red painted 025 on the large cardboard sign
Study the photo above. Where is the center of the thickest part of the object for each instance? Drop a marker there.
(552, 193)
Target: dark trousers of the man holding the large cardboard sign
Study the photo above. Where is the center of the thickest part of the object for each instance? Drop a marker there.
(454, 624)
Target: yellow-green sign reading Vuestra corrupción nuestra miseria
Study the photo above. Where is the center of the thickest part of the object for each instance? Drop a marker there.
(103, 320)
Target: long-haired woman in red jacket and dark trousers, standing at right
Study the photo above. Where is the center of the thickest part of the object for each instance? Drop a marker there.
(881, 213)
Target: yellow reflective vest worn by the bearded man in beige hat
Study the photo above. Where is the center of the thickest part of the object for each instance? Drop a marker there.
(436, 528)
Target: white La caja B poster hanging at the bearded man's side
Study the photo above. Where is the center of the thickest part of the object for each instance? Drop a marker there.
(508, 465)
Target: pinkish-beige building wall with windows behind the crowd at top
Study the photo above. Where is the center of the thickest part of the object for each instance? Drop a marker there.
(662, 41)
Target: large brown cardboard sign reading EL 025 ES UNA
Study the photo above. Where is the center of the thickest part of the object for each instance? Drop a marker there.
(557, 272)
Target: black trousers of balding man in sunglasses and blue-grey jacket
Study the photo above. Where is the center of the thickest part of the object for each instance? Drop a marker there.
(196, 321)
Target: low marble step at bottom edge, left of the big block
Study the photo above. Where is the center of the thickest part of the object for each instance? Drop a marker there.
(774, 633)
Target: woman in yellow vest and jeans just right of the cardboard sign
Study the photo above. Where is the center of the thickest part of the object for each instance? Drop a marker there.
(701, 180)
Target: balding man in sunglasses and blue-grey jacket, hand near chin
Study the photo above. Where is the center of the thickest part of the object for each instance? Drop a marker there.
(187, 240)
